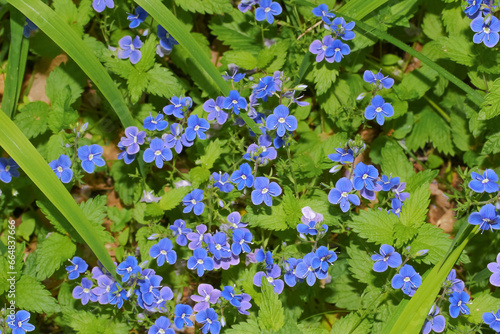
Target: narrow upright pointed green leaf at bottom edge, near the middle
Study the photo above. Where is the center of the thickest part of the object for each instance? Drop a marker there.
(271, 313)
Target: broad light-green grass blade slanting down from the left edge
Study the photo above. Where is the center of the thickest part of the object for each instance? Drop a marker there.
(32, 163)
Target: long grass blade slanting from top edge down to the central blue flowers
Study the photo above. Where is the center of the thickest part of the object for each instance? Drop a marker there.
(168, 21)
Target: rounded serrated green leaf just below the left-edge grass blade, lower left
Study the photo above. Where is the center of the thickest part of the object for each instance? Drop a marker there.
(52, 253)
